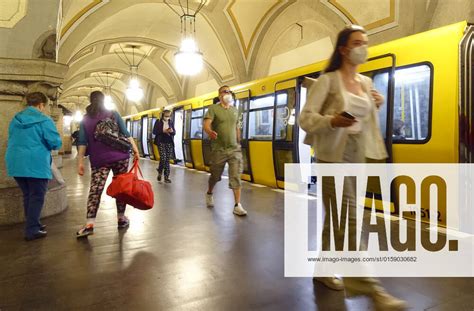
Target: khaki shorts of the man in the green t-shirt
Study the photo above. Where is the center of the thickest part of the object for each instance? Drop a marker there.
(218, 160)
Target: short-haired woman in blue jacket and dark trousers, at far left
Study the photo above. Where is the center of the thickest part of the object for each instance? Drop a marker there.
(31, 137)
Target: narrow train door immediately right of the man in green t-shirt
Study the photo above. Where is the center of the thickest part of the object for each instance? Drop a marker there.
(242, 104)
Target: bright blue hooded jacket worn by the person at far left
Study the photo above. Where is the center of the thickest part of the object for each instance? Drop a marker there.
(31, 137)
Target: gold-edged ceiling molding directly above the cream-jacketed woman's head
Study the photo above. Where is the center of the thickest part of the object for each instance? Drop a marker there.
(389, 18)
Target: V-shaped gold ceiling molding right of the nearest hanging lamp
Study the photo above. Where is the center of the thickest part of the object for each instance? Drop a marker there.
(246, 46)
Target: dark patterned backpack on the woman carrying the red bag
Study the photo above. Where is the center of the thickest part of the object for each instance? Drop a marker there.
(107, 132)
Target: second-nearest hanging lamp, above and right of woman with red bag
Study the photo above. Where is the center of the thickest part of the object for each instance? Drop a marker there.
(134, 92)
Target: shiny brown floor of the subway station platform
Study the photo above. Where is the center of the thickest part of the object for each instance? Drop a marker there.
(180, 256)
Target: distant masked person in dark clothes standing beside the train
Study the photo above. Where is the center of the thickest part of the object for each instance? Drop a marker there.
(164, 138)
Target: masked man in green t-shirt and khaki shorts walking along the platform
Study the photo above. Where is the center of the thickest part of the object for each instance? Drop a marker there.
(221, 124)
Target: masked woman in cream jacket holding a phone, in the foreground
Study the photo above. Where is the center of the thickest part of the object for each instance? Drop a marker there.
(341, 116)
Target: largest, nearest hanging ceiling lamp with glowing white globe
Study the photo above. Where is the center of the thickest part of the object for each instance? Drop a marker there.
(188, 60)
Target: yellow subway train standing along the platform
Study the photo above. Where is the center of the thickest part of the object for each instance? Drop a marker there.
(428, 116)
